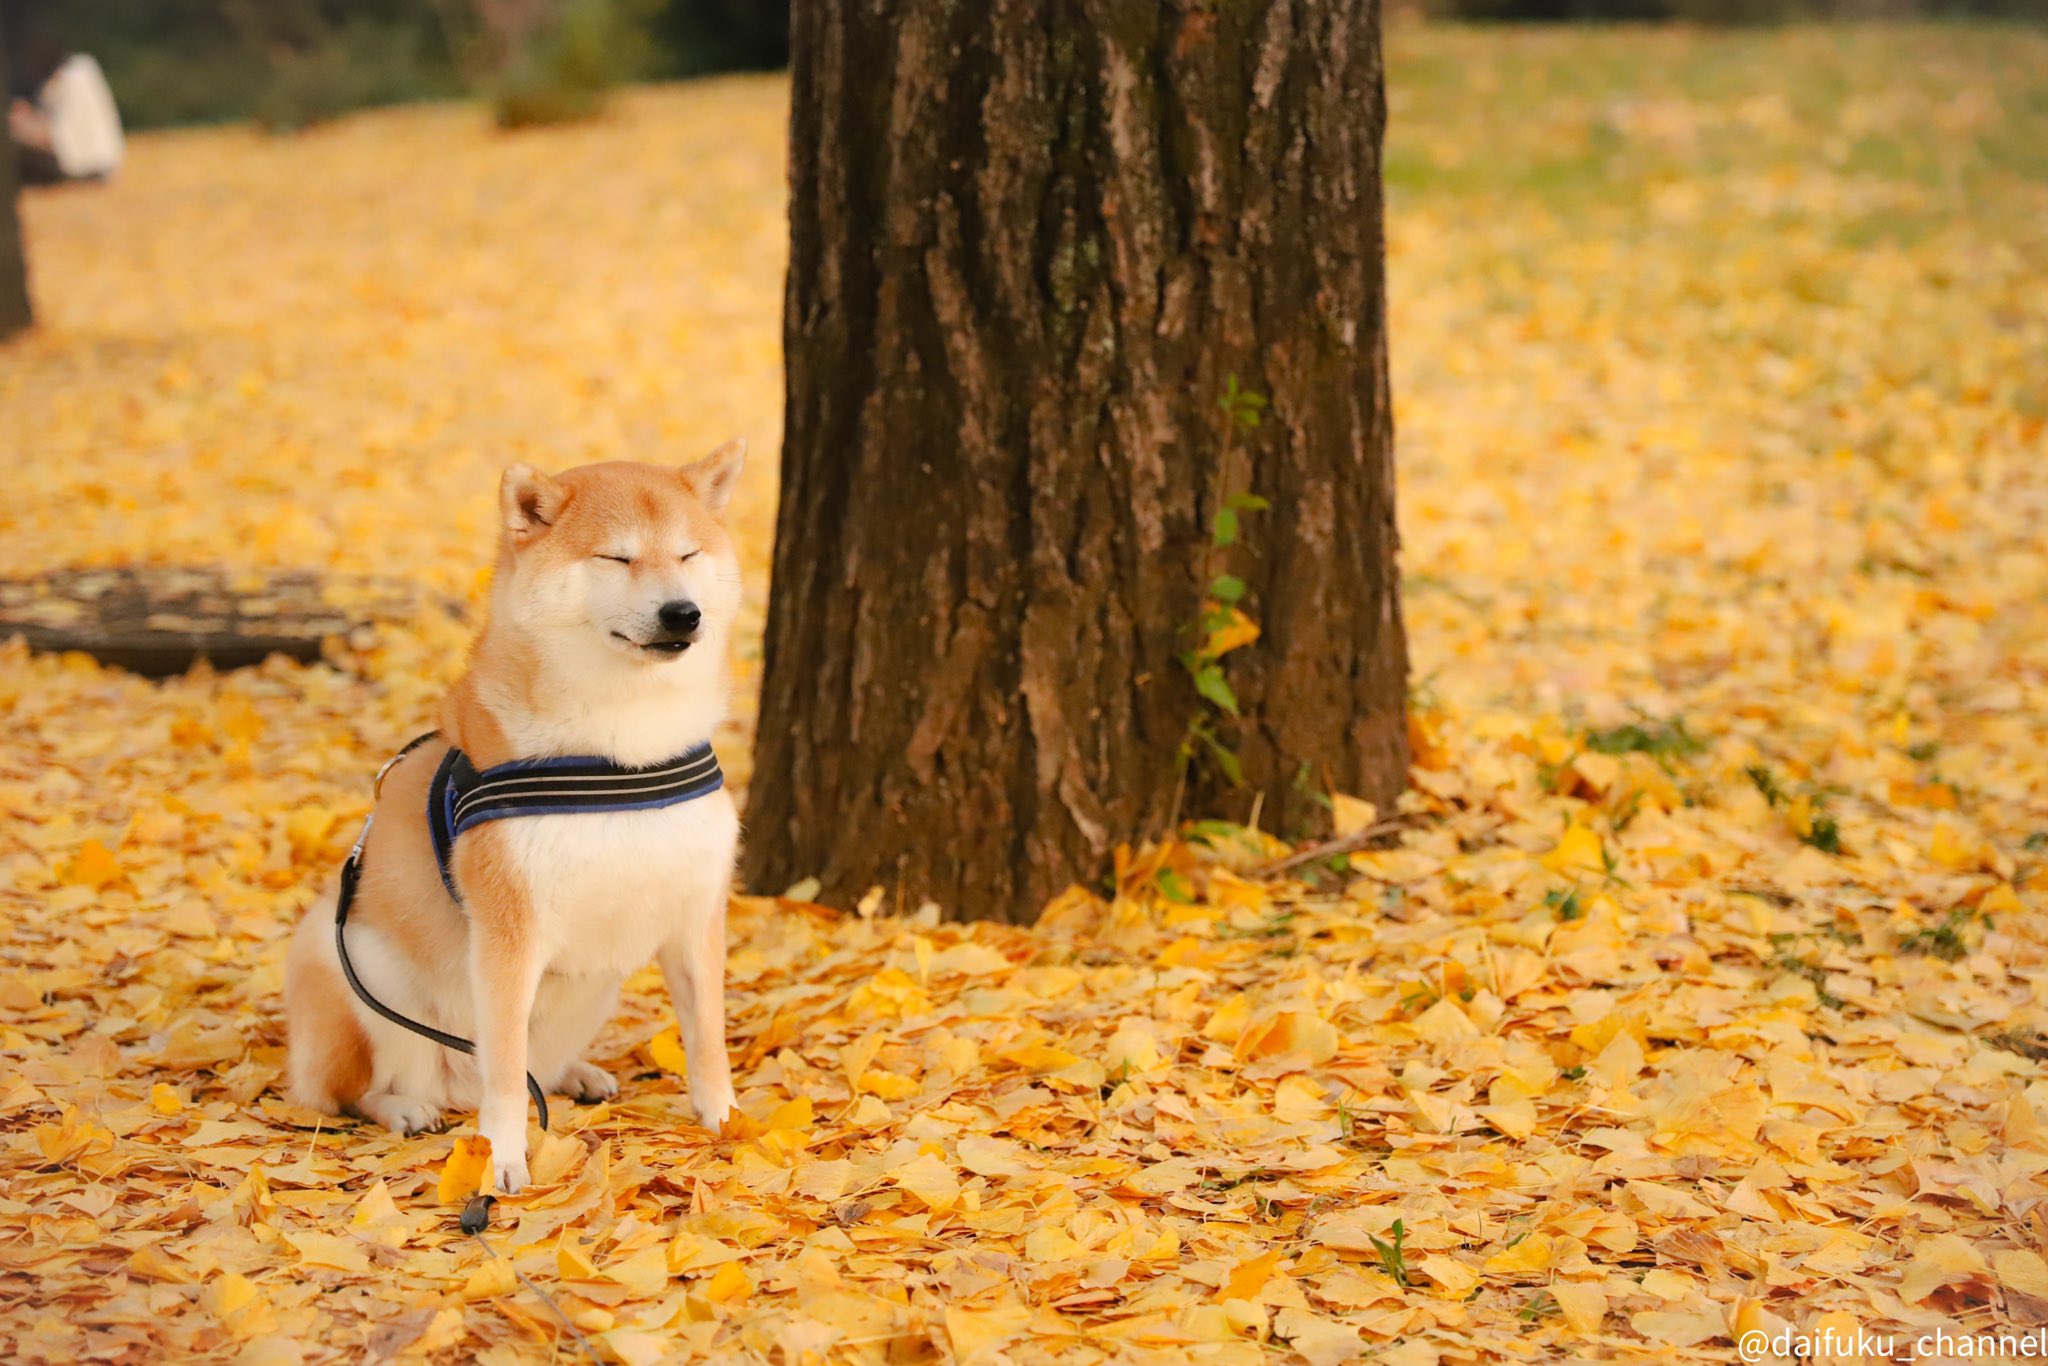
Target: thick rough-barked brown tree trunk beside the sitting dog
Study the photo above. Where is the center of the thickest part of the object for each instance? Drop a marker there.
(1033, 247)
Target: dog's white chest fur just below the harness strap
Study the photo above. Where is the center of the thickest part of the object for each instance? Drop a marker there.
(611, 888)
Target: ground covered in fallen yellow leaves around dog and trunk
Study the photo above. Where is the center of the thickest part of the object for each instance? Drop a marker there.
(1701, 990)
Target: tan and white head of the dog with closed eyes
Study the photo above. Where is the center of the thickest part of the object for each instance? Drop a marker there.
(622, 558)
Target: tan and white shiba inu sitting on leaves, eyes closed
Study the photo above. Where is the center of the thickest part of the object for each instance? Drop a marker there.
(607, 640)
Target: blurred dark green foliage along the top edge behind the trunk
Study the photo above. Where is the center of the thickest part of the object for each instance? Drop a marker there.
(296, 62)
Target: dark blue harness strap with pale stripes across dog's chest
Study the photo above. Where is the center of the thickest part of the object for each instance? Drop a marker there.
(464, 798)
